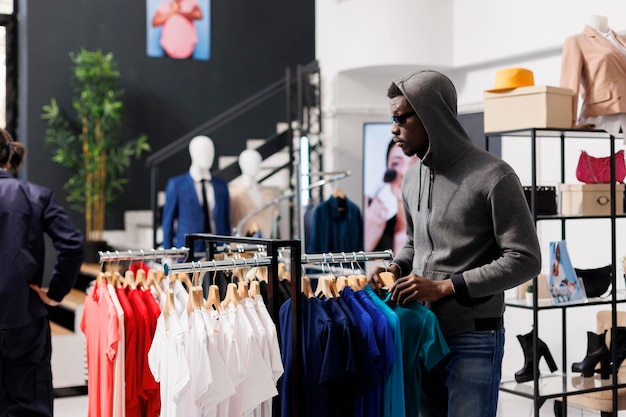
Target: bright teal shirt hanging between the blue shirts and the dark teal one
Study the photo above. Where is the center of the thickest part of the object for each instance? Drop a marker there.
(393, 395)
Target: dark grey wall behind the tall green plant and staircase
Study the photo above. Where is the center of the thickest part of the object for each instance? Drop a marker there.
(251, 45)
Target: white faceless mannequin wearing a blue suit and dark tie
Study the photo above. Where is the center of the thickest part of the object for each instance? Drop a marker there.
(182, 213)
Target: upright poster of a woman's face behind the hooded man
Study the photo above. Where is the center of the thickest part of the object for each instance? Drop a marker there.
(384, 165)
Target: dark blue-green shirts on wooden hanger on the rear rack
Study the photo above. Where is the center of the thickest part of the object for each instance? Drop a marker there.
(337, 226)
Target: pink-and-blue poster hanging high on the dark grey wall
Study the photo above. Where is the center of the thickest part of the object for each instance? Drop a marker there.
(178, 29)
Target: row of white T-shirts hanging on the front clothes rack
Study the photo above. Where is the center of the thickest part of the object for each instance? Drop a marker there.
(216, 363)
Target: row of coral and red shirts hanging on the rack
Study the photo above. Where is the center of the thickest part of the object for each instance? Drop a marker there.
(119, 324)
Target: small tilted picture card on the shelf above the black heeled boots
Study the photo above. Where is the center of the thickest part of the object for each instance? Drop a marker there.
(565, 287)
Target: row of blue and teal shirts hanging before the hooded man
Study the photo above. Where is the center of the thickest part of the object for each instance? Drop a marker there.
(371, 356)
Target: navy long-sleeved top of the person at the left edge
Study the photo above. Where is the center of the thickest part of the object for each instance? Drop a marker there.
(27, 212)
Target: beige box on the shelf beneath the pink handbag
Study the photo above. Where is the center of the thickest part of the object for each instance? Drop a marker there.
(590, 199)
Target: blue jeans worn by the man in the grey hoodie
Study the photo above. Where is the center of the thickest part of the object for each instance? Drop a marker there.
(466, 382)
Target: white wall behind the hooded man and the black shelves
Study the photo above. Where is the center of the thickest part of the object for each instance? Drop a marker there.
(362, 45)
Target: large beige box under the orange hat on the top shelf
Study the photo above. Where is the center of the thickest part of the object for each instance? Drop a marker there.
(527, 107)
